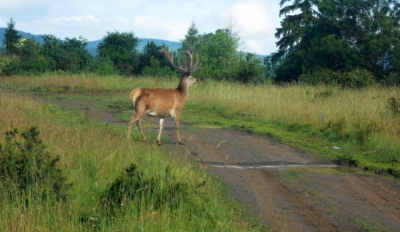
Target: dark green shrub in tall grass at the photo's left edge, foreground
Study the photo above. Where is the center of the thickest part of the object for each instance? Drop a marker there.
(26, 168)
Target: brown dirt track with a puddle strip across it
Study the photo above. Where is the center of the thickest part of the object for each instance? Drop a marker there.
(289, 189)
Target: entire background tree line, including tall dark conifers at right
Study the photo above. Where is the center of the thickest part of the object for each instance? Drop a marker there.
(353, 43)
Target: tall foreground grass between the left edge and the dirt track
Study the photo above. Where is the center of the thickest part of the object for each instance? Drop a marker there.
(93, 155)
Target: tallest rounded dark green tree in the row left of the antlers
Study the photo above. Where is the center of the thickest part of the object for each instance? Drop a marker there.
(120, 47)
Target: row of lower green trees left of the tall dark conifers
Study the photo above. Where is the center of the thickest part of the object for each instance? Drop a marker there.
(117, 54)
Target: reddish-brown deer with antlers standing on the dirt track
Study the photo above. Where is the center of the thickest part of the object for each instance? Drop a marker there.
(162, 103)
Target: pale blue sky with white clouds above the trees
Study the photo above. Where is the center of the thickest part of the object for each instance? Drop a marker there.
(254, 21)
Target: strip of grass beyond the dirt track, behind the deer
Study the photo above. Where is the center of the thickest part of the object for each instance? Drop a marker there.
(364, 123)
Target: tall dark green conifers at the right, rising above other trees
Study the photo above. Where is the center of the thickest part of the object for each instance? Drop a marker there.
(340, 36)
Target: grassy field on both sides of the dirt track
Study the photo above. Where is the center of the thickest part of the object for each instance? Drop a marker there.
(364, 124)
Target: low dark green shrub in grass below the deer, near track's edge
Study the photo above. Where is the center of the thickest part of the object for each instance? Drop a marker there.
(156, 193)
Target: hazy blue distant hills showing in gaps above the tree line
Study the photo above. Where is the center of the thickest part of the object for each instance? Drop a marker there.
(92, 45)
